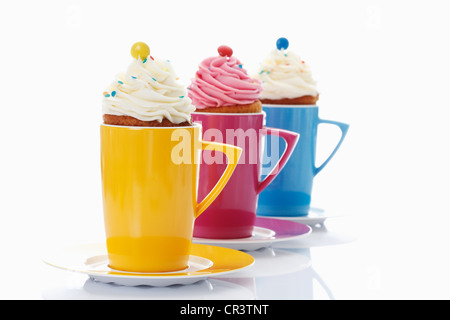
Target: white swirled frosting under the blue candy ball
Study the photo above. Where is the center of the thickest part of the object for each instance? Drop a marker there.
(285, 75)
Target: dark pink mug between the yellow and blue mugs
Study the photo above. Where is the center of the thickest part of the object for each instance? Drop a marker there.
(233, 214)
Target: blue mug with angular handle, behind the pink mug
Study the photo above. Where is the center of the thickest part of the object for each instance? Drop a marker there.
(289, 195)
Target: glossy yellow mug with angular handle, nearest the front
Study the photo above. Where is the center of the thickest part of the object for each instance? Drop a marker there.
(150, 187)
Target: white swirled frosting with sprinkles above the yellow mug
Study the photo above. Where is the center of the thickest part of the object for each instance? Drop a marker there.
(148, 91)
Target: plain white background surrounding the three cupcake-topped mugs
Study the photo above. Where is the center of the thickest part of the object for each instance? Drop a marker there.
(382, 66)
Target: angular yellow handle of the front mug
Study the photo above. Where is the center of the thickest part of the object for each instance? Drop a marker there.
(233, 154)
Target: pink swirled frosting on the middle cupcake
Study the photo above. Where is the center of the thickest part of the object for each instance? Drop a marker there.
(221, 81)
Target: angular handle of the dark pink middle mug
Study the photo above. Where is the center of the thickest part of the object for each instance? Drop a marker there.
(291, 139)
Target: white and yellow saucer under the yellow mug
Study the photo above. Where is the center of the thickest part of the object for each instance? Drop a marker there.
(205, 261)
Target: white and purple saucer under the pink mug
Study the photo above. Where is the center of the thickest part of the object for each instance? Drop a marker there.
(265, 232)
